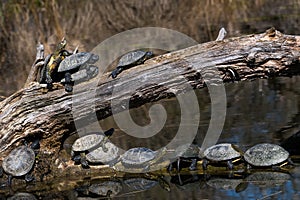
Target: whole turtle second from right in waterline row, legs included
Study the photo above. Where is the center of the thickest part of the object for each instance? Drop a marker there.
(223, 152)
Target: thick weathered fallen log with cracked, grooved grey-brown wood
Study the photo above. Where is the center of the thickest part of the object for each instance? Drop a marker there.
(35, 112)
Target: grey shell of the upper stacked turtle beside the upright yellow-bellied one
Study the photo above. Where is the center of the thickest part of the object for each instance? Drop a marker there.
(76, 60)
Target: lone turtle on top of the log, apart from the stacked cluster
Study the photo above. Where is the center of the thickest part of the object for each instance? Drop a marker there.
(131, 59)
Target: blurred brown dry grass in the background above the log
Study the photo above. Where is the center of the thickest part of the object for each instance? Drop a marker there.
(87, 23)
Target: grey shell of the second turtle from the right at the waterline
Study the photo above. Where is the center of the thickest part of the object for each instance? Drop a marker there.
(221, 152)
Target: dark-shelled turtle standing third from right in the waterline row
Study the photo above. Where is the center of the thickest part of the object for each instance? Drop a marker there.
(189, 153)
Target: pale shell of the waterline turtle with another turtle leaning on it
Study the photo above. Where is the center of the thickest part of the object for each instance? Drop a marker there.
(109, 155)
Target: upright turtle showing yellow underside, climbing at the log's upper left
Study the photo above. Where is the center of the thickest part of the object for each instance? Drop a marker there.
(48, 72)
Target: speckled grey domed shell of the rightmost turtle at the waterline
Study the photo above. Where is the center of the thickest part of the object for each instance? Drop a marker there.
(266, 154)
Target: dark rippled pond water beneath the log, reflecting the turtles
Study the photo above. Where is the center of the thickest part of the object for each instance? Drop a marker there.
(257, 111)
